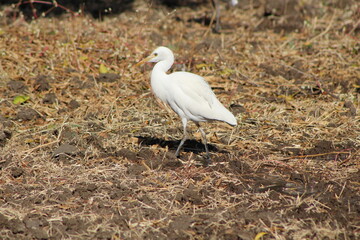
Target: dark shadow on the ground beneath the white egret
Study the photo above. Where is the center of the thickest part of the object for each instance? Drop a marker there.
(190, 145)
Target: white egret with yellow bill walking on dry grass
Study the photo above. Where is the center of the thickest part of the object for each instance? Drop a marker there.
(188, 94)
